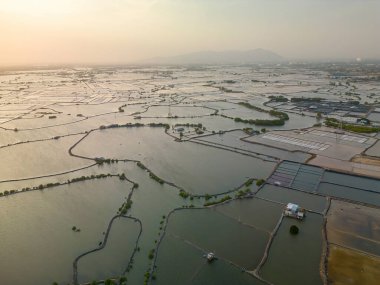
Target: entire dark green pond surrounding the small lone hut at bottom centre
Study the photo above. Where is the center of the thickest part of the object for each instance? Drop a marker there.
(242, 225)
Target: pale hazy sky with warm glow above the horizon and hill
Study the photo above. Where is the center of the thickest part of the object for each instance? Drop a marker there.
(122, 31)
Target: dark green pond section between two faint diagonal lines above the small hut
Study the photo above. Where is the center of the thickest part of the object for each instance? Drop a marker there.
(193, 226)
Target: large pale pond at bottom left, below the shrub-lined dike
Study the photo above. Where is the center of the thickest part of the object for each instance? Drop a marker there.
(39, 224)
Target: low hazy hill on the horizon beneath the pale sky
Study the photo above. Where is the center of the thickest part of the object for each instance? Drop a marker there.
(220, 57)
